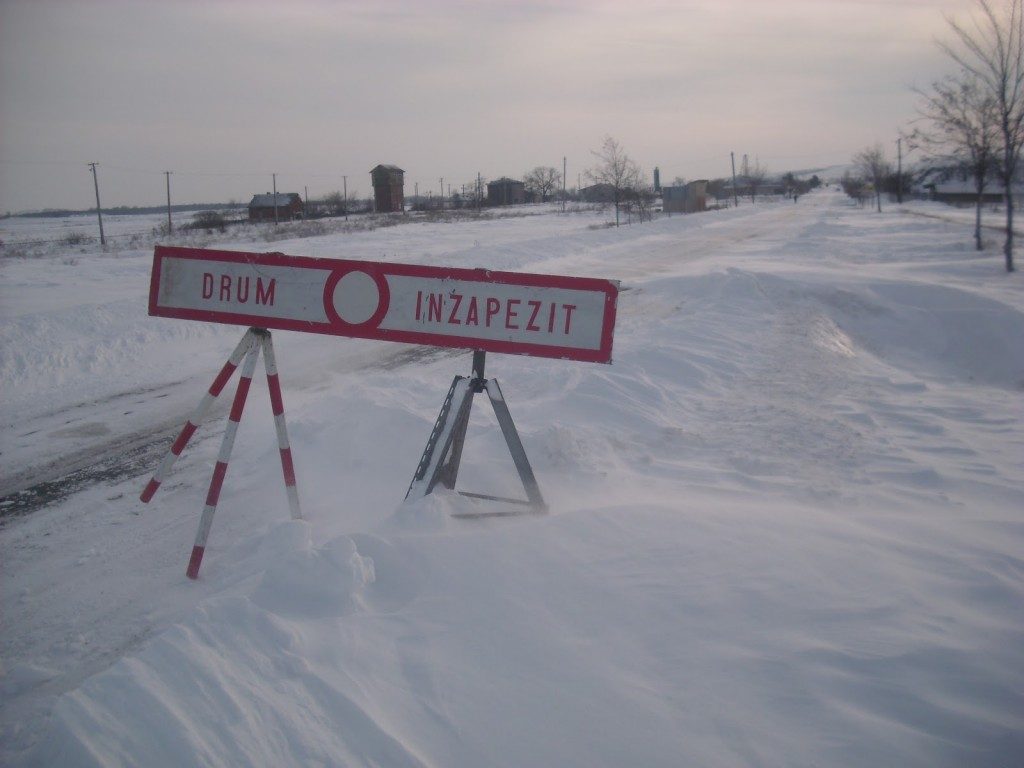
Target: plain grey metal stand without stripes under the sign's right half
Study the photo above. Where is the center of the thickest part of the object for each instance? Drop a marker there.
(443, 456)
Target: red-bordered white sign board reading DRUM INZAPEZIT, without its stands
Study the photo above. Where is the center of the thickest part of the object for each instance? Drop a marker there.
(514, 313)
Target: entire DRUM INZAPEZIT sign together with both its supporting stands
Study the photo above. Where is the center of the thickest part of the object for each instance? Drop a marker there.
(477, 310)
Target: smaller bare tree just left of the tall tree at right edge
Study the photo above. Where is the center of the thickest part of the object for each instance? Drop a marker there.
(962, 134)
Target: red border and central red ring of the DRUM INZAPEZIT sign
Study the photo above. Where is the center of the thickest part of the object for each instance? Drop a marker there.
(379, 271)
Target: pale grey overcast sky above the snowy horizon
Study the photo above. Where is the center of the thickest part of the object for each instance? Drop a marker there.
(226, 94)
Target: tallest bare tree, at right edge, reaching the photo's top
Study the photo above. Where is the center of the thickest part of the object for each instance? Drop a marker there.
(994, 52)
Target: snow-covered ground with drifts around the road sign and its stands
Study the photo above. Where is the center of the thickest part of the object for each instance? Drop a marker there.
(787, 526)
